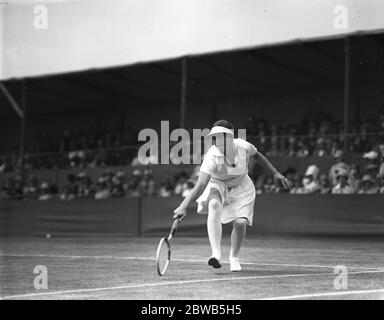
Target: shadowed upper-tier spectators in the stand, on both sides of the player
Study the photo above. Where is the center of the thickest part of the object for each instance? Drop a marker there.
(315, 135)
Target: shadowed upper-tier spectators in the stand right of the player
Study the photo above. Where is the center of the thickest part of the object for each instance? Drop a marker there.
(316, 134)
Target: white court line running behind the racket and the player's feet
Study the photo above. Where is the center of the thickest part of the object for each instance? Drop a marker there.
(179, 260)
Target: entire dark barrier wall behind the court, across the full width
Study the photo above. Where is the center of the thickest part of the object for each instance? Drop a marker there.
(274, 214)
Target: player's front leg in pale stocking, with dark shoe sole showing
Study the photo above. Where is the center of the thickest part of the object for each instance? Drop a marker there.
(214, 230)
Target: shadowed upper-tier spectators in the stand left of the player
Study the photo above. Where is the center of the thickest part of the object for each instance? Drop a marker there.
(86, 148)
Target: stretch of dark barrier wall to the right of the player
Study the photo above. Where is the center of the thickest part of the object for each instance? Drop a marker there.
(319, 215)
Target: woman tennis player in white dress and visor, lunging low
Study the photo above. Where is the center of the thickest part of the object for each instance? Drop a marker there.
(224, 190)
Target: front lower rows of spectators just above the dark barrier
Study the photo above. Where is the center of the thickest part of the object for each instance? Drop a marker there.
(342, 178)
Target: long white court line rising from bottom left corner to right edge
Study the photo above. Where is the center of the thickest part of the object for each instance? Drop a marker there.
(157, 284)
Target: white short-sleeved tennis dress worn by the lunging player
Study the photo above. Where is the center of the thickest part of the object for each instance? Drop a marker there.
(235, 186)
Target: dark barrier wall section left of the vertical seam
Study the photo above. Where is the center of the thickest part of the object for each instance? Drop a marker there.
(114, 217)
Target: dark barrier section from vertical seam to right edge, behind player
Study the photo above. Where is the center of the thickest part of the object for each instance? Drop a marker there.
(283, 214)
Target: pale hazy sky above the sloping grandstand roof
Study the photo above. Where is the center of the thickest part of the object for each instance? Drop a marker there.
(85, 34)
